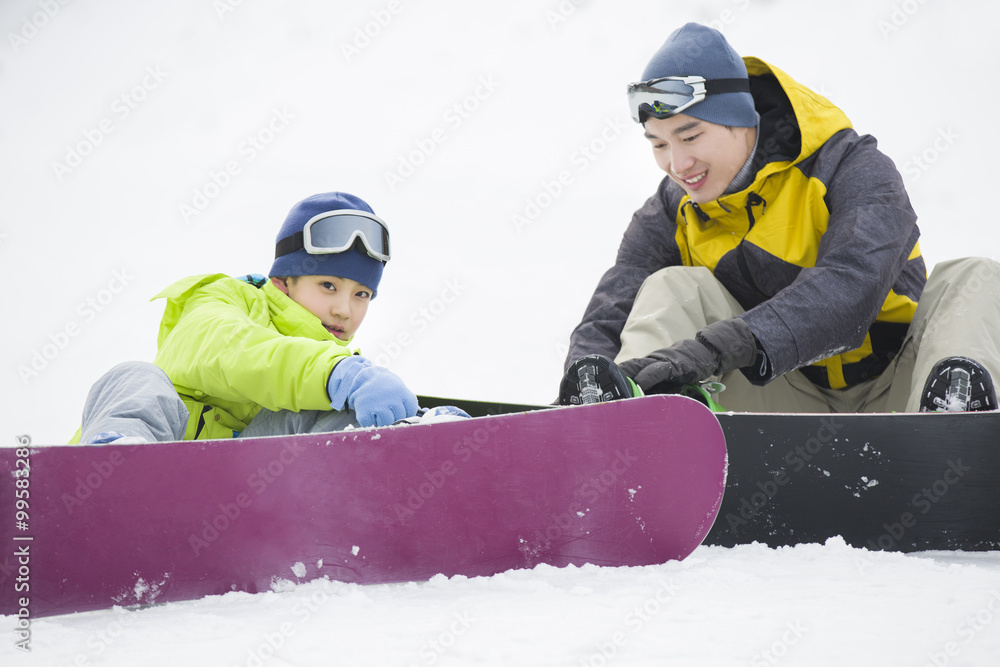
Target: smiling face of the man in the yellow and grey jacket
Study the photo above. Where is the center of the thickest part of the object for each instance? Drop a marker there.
(701, 157)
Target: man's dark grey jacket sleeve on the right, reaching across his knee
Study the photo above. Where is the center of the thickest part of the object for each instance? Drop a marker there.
(872, 229)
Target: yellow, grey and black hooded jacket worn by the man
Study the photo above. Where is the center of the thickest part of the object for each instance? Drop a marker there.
(820, 249)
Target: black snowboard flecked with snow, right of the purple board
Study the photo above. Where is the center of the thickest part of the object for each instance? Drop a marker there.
(891, 482)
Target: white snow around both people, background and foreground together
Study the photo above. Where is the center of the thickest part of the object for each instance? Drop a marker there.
(144, 142)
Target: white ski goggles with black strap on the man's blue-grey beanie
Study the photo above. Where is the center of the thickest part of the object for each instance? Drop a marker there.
(663, 98)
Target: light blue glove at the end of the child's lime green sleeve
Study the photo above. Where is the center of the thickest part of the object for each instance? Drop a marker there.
(376, 395)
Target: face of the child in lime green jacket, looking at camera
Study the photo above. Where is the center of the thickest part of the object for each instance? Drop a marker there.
(340, 303)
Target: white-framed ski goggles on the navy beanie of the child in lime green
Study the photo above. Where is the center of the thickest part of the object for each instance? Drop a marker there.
(336, 231)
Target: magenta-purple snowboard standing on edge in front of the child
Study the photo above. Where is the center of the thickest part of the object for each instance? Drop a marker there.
(634, 482)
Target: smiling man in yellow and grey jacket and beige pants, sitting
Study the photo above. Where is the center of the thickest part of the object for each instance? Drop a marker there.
(779, 255)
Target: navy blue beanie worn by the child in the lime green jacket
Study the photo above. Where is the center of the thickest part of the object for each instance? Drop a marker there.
(355, 263)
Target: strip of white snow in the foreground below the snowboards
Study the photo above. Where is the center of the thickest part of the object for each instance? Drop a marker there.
(810, 605)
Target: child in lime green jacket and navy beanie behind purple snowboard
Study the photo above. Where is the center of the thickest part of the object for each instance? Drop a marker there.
(253, 356)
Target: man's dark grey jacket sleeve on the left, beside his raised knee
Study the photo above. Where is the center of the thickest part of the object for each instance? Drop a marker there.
(648, 246)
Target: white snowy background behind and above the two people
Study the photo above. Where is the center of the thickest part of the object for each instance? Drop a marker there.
(258, 105)
